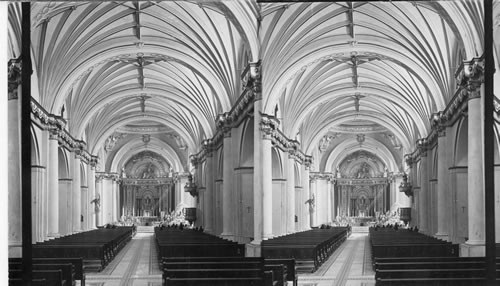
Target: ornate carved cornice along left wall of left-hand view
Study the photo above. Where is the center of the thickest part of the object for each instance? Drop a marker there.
(56, 124)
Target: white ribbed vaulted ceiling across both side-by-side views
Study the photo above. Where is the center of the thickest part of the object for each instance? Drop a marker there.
(167, 69)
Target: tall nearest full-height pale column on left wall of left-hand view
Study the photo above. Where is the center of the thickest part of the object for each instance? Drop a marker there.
(53, 185)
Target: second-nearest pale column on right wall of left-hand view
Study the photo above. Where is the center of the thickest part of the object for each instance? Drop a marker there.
(227, 187)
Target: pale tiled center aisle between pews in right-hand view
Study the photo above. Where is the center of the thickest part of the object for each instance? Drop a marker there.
(349, 265)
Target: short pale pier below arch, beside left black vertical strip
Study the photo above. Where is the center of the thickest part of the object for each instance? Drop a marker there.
(39, 209)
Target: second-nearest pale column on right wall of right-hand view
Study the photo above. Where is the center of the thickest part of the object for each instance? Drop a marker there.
(442, 209)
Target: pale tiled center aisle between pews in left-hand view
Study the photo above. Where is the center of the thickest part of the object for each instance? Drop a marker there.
(135, 265)
